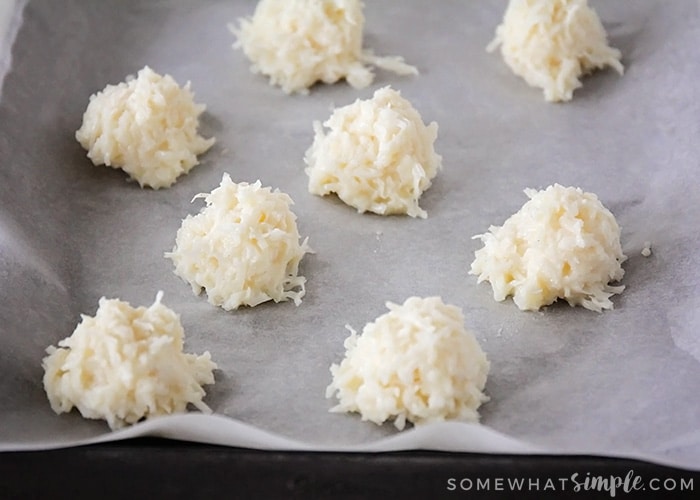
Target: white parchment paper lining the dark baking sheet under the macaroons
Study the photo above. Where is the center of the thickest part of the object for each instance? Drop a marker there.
(620, 383)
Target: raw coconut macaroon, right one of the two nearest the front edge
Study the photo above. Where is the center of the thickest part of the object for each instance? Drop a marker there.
(416, 363)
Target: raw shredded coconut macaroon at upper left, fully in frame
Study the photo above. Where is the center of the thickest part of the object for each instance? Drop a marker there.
(147, 126)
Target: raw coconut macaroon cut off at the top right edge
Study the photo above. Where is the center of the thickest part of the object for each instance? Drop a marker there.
(552, 43)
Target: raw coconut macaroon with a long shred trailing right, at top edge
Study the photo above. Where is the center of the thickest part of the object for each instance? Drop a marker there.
(297, 43)
